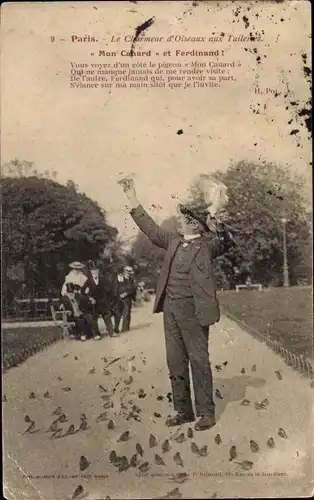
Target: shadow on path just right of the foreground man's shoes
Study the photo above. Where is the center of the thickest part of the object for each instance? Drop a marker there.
(234, 389)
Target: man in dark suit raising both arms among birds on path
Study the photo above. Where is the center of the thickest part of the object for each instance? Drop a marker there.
(186, 293)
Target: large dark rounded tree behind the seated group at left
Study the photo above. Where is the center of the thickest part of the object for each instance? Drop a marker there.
(47, 225)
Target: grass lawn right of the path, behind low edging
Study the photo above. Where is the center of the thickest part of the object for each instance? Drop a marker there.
(283, 314)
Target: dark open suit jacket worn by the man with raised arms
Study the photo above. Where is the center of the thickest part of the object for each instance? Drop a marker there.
(202, 278)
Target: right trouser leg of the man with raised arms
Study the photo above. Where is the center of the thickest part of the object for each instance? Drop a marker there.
(195, 338)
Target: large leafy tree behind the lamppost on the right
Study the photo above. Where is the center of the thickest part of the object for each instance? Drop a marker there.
(260, 195)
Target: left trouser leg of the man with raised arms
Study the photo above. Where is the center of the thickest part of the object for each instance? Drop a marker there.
(177, 361)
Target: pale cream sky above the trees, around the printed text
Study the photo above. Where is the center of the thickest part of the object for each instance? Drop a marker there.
(91, 136)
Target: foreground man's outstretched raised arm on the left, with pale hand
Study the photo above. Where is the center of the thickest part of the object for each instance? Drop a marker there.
(160, 237)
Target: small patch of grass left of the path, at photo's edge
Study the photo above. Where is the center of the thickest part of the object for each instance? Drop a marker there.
(20, 343)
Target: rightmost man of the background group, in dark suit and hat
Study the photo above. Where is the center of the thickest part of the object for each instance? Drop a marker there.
(127, 293)
